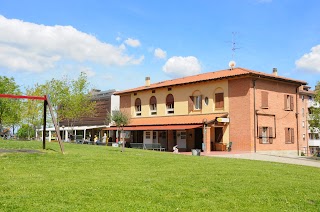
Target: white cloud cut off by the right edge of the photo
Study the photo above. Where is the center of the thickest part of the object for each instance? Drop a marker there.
(310, 61)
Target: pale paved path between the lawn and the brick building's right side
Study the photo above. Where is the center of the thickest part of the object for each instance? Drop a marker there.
(305, 161)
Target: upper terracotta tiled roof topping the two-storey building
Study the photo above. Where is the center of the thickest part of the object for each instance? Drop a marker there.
(217, 75)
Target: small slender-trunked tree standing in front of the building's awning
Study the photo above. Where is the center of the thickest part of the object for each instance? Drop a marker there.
(120, 118)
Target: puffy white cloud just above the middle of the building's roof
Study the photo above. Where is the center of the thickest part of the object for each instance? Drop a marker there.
(178, 66)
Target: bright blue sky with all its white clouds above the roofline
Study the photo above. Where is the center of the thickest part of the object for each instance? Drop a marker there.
(119, 43)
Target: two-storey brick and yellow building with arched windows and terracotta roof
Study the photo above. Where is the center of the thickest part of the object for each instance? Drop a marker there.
(253, 110)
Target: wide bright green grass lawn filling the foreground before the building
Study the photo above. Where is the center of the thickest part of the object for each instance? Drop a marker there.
(100, 178)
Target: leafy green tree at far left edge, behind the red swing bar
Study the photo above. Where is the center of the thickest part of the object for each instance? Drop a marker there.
(10, 112)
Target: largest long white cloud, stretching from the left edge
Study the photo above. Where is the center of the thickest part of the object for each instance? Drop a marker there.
(35, 48)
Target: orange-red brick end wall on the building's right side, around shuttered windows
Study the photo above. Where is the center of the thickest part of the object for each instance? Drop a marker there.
(276, 111)
